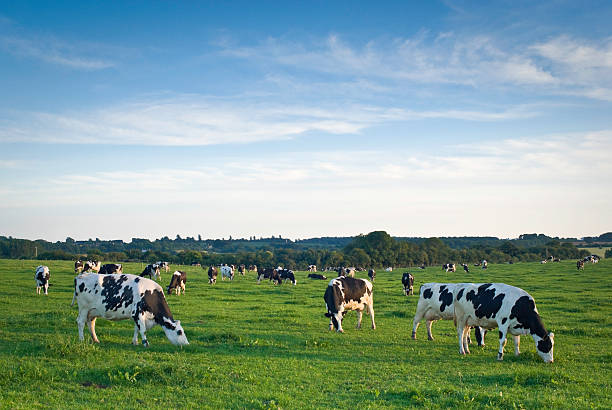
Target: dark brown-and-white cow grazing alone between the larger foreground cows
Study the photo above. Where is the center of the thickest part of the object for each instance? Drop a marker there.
(346, 293)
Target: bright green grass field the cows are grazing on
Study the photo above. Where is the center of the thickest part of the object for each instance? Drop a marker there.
(261, 346)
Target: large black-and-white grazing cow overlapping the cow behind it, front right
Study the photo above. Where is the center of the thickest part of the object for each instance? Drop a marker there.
(510, 309)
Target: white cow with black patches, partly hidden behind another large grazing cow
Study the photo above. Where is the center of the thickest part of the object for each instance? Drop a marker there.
(435, 303)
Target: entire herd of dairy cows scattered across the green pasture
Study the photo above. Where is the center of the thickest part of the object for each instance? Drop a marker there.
(105, 291)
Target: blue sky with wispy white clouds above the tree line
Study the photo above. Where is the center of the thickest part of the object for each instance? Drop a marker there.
(304, 119)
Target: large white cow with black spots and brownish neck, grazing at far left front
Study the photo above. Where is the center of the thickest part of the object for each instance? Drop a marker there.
(118, 297)
